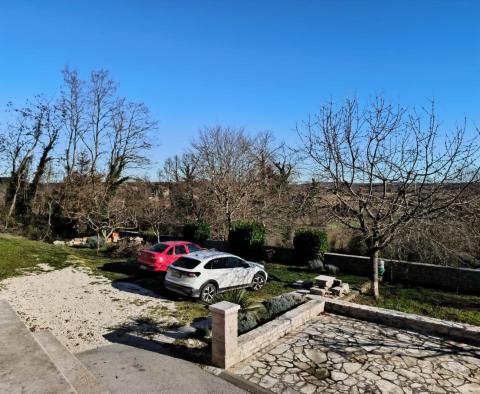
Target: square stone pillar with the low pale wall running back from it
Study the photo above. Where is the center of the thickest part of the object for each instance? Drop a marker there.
(228, 348)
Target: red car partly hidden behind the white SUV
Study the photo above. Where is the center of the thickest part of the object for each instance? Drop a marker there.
(161, 255)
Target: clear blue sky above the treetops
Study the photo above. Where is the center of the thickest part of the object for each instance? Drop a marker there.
(261, 65)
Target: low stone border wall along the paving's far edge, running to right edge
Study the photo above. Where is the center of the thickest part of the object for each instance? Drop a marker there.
(428, 325)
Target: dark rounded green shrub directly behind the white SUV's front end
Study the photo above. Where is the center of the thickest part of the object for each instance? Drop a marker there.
(247, 239)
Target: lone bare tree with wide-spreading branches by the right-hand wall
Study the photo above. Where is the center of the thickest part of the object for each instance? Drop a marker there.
(385, 167)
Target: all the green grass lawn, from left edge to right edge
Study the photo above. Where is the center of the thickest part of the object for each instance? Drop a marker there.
(18, 255)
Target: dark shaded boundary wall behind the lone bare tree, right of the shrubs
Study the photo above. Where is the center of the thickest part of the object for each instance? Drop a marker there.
(464, 280)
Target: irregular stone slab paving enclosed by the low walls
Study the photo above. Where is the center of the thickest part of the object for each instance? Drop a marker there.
(337, 354)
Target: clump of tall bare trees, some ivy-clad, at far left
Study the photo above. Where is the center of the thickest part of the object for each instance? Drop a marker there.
(100, 137)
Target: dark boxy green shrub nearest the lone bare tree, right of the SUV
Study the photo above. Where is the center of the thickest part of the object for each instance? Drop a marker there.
(309, 244)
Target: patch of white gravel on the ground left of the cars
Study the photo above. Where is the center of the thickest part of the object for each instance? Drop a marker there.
(77, 307)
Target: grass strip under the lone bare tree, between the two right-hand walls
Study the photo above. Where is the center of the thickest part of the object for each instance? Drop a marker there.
(429, 302)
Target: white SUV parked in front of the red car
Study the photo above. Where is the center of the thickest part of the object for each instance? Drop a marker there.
(206, 273)
